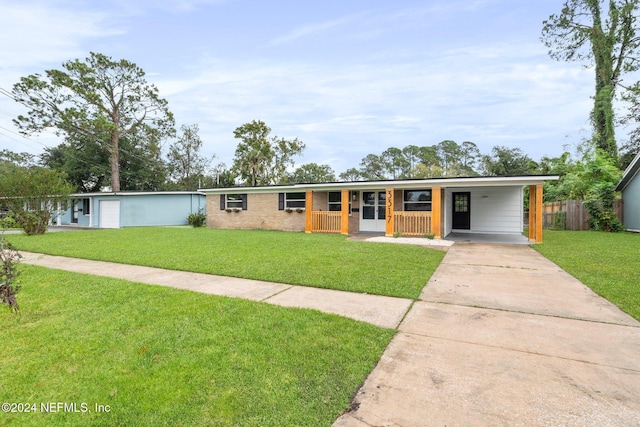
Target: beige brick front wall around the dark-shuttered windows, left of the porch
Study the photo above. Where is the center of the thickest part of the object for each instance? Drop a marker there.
(262, 212)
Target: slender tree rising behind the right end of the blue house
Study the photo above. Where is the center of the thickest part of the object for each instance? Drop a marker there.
(187, 167)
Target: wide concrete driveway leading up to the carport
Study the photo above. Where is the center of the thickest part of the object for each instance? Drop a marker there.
(504, 337)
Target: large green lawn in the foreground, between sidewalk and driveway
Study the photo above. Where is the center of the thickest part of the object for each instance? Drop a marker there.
(164, 357)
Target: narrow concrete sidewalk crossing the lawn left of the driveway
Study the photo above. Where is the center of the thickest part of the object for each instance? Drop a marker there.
(378, 310)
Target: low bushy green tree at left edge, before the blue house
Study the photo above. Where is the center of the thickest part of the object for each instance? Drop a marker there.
(32, 195)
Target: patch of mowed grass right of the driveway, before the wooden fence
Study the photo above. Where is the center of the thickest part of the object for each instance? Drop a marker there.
(609, 263)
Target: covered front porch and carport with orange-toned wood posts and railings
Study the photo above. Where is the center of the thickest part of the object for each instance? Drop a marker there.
(432, 212)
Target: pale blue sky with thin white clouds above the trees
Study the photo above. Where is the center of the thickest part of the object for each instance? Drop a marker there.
(347, 77)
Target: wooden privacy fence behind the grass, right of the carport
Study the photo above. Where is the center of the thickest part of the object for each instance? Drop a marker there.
(570, 215)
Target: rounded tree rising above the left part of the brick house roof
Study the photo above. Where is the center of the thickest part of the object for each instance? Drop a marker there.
(261, 159)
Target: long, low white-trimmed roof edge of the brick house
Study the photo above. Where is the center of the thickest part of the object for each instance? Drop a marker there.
(494, 181)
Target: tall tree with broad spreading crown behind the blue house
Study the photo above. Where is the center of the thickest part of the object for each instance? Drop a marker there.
(99, 98)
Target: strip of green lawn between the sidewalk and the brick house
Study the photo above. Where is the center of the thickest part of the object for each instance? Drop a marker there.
(318, 260)
